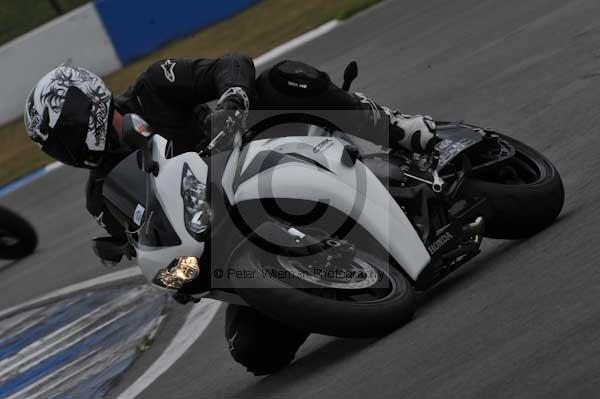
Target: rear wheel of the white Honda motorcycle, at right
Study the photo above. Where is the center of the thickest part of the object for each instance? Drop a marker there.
(525, 194)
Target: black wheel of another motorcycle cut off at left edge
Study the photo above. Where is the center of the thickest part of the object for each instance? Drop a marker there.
(17, 236)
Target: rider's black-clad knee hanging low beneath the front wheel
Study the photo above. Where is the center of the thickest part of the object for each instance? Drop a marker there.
(263, 345)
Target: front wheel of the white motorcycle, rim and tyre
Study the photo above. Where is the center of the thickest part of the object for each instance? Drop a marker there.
(375, 300)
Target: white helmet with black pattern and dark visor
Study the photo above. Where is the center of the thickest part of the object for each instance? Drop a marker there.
(68, 113)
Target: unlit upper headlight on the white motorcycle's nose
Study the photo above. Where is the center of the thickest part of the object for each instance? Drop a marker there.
(197, 213)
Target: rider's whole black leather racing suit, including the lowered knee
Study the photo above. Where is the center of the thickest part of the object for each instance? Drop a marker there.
(171, 96)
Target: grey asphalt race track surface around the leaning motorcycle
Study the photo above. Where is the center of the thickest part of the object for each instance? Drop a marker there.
(522, 319)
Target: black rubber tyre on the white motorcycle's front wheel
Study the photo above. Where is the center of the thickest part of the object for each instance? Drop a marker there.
(309, 312)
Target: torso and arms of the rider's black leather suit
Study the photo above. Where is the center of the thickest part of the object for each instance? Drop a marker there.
(171, 95)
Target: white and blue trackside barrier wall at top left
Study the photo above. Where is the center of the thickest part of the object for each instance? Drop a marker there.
(101, 36)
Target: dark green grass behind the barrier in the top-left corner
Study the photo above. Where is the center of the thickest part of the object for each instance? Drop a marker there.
(20, 16)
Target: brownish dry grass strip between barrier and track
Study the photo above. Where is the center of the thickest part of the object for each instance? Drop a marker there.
(254, 32)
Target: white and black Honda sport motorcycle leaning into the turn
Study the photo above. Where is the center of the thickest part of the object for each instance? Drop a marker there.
(315, 231)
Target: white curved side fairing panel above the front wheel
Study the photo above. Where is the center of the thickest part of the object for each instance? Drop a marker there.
(310, 168)
